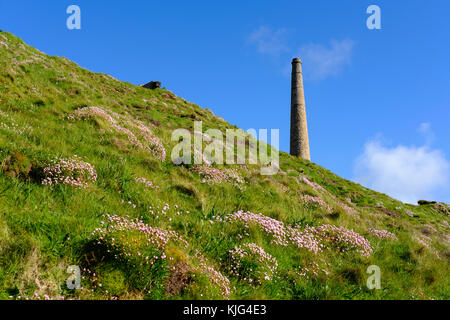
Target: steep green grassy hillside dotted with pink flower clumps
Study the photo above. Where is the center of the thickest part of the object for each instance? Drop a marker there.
(86, 179)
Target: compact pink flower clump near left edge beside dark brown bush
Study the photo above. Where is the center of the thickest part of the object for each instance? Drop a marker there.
(72, 171)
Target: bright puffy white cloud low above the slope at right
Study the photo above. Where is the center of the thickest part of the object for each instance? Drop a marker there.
(405, 173)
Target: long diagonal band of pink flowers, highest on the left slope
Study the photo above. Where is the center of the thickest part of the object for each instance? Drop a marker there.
(151, 143)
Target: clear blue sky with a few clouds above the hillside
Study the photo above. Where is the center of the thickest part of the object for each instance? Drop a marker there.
(378, 101)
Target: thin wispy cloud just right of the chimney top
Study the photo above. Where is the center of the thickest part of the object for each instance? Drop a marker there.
(320, 62)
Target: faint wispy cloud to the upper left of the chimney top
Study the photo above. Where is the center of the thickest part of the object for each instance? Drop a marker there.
(268, 41)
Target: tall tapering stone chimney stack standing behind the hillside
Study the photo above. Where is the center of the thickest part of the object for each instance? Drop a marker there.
(299, 128)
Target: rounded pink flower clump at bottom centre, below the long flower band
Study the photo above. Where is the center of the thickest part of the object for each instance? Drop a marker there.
(252, 263)
